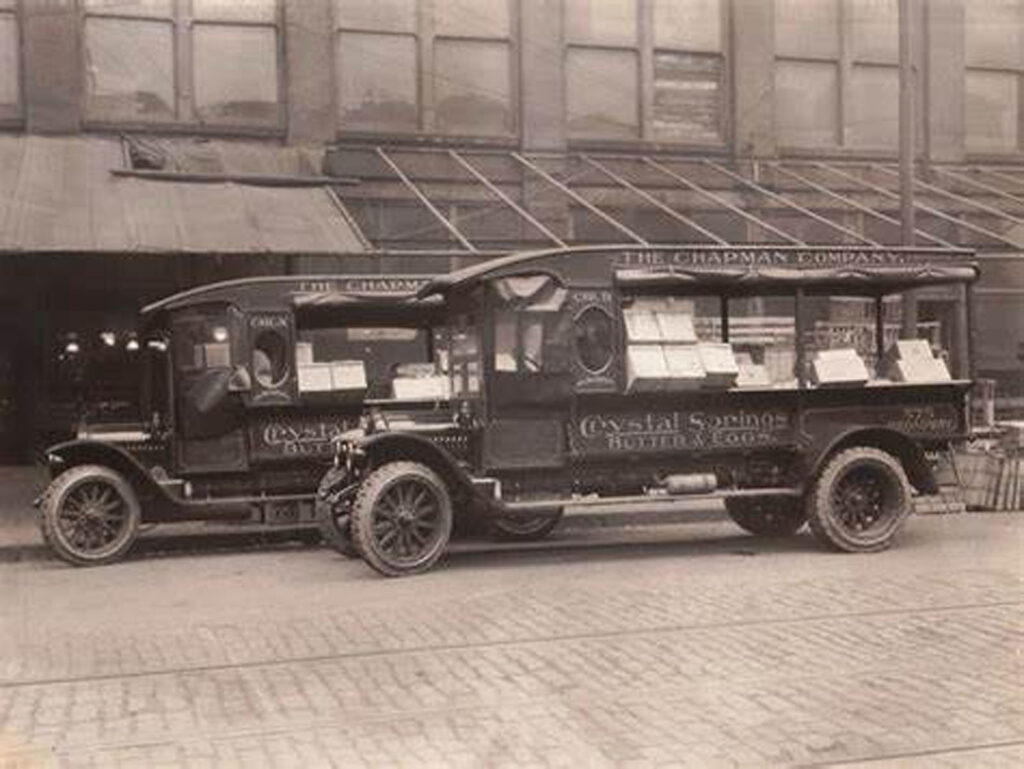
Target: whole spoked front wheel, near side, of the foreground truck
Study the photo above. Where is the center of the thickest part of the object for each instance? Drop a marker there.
(402, 519)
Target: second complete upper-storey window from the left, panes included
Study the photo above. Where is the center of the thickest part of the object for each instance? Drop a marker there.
(443, 67)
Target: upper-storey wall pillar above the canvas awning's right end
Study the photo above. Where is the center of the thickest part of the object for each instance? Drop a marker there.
(310, 89)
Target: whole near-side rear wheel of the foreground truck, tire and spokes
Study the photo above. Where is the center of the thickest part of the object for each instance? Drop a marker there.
(861, 501)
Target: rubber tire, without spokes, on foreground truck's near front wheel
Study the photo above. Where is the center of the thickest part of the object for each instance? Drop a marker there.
(363, 509)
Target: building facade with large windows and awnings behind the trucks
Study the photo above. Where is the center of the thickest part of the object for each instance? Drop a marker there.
(148, 146)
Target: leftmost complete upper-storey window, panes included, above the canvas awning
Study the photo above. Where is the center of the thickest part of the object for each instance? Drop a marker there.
(207, 62)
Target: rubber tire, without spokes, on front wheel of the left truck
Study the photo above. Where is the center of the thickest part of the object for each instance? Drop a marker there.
(54, 500)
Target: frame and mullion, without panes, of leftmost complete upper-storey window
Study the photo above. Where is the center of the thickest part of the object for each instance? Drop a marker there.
(187, 116)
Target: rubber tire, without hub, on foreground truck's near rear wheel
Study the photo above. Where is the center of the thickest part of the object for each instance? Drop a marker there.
(823, 518)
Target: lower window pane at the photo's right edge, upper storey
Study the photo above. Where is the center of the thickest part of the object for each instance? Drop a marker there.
(992, 104)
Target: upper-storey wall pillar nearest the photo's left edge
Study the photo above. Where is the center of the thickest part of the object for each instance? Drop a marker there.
(54, 78)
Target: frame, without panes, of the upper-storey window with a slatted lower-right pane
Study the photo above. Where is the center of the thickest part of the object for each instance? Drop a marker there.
(646, 49)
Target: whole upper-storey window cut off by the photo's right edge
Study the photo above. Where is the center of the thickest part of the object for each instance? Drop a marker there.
(994, 36)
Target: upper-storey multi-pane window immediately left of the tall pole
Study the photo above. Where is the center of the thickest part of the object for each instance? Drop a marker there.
(837, 76)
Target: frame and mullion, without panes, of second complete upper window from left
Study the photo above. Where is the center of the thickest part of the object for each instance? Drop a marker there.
(425, 36)
